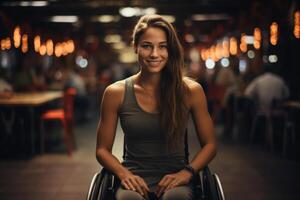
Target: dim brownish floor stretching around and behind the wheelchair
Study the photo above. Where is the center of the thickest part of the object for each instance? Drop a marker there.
(246, 172)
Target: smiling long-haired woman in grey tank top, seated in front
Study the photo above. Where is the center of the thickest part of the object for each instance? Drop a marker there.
(153, 106)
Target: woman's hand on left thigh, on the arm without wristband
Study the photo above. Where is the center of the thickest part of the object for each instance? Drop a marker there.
(135, 183)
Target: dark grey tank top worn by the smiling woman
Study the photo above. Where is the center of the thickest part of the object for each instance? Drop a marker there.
(146, 152)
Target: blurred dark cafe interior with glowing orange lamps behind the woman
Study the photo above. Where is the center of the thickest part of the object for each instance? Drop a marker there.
(58, 56)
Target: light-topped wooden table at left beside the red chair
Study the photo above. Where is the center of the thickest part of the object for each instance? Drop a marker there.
(28, 101)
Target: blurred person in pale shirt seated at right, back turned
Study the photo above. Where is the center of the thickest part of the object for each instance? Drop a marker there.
(267, 88)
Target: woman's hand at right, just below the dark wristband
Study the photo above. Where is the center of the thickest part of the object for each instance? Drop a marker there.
(170, 181)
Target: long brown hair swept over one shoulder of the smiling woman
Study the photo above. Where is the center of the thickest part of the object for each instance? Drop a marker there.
(173, 111)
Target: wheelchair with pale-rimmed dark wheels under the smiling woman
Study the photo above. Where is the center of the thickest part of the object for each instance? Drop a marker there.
(206, 185)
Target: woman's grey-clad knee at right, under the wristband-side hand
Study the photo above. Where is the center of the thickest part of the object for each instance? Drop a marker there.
(178, 193)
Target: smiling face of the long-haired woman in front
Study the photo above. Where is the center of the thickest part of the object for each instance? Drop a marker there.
(152, 50)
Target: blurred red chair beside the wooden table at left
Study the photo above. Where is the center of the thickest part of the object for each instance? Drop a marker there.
(65, 115)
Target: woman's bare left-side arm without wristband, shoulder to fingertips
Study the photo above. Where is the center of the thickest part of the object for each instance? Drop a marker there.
(106, 131)
